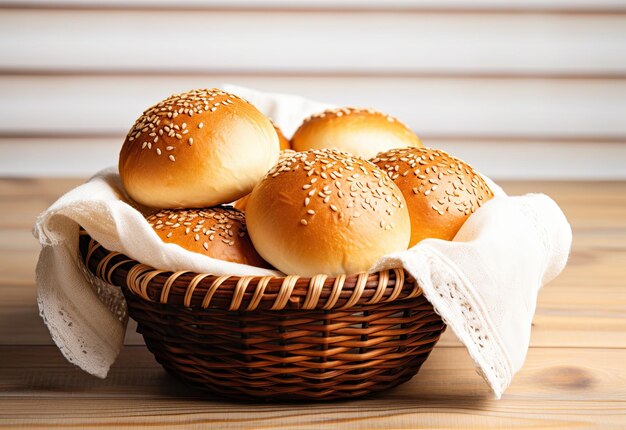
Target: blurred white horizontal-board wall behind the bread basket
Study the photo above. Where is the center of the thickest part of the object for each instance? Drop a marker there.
(521, 89)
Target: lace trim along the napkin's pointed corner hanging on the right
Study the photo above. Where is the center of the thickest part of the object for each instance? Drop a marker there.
(460, 310)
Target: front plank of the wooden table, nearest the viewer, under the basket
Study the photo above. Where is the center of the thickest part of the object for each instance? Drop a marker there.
(567, 387)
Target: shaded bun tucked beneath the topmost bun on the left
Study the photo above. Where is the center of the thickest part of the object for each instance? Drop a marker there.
(218, 232)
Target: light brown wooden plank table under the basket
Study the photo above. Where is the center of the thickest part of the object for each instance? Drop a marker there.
(575, 372)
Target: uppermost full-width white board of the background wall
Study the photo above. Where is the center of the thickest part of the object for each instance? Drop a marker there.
(228, 40)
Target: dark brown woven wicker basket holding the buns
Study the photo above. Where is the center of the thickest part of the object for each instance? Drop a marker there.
(276, 338)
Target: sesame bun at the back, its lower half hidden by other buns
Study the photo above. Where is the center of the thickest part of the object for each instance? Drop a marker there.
(362, 132)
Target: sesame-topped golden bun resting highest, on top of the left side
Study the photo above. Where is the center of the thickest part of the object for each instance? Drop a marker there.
(197, 149)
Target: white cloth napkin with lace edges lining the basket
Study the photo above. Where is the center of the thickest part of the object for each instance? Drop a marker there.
(484, 284)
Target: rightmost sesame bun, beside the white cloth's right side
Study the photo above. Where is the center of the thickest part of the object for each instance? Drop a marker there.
(441, 191)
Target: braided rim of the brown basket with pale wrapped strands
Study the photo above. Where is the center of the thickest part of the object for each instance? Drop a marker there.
(245, 293)
